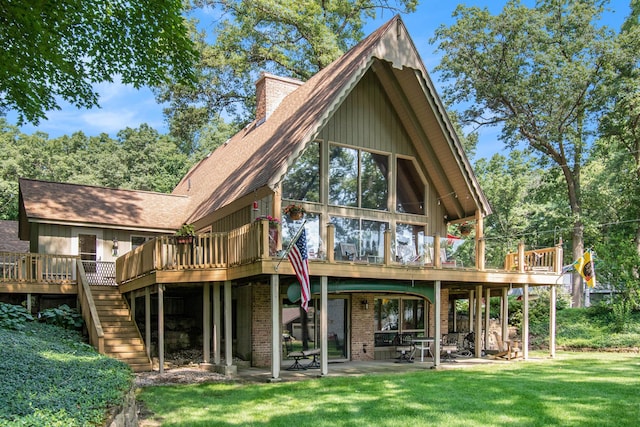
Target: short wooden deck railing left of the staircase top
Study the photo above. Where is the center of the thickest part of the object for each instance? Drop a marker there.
(30, 267)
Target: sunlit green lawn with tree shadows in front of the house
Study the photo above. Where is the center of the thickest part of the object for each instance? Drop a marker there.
(575, 389)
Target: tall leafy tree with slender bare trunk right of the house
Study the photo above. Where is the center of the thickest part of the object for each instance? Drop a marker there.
(537, 72)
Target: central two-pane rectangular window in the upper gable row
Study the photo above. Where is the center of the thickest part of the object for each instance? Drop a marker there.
(358, 178)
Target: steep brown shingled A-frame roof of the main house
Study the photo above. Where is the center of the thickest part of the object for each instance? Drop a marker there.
(259, 155)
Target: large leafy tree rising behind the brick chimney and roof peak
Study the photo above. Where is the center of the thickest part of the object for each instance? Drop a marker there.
(291, 39)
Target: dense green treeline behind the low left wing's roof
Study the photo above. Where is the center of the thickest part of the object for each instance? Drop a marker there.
(139, 159)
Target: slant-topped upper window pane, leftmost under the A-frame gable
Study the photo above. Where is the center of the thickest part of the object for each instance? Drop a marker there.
(302, 181)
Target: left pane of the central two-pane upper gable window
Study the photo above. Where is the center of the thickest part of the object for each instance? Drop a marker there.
(343, 176)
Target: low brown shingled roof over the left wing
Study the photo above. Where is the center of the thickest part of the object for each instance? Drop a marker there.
(88, 205)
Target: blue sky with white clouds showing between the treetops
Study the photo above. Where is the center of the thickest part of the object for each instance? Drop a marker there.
(123, 106)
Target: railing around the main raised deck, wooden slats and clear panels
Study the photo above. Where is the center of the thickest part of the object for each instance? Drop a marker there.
(250, 243)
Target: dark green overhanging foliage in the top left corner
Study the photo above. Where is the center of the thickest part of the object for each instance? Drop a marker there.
(52, 49)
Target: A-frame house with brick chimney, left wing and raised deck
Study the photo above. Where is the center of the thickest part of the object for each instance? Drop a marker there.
(366, 147)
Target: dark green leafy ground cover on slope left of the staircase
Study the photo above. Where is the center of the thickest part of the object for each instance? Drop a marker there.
(51, 378)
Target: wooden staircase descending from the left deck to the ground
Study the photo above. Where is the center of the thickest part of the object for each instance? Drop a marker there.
(122, 338)
